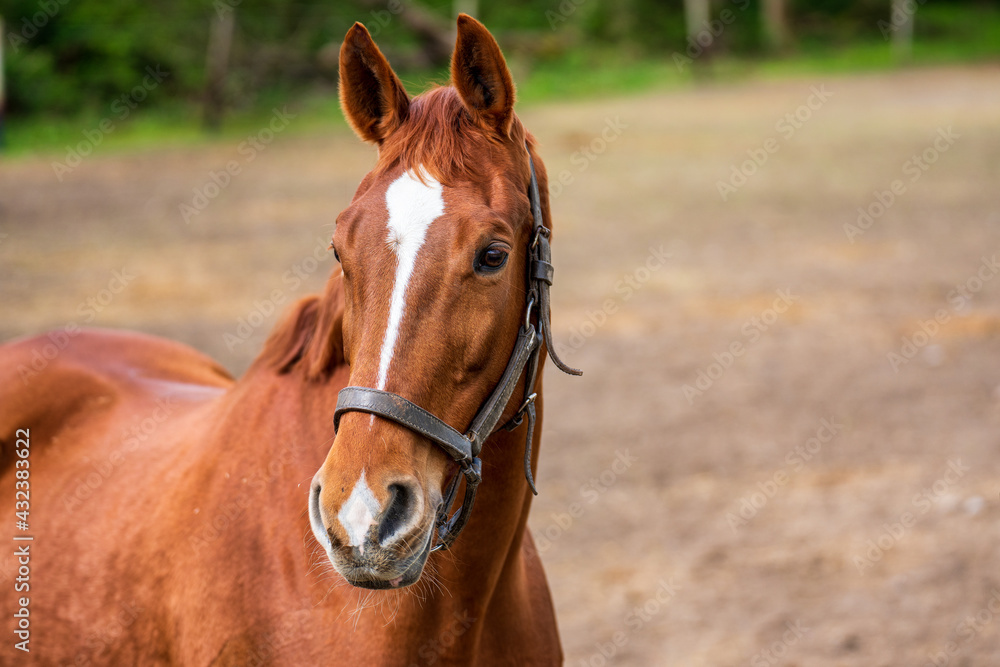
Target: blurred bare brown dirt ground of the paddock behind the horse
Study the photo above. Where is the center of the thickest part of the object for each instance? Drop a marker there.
(776, 456)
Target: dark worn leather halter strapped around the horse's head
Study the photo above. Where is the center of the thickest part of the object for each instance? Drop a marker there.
(464, 449)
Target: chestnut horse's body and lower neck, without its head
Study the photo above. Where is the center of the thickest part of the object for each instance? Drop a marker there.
(194, 547)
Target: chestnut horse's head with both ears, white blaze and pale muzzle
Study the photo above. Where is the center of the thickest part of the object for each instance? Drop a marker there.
(434, 250)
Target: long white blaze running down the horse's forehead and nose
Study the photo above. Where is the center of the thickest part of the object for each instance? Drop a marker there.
(412, 207)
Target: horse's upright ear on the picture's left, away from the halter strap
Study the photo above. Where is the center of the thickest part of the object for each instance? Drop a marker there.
(371, 95)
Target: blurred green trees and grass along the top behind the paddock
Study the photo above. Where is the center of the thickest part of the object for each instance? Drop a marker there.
(73, 58)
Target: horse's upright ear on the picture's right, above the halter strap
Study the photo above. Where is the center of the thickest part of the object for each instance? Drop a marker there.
(480, 75)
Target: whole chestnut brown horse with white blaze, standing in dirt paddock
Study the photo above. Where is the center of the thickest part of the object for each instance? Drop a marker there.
(177, 515)
